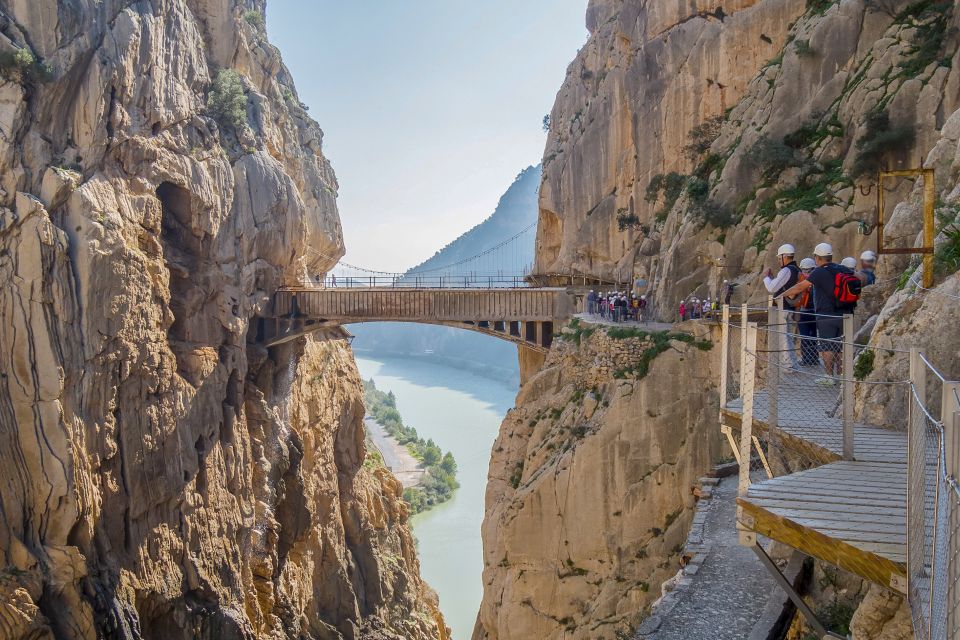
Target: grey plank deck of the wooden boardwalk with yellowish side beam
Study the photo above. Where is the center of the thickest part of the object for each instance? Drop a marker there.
(852, 514)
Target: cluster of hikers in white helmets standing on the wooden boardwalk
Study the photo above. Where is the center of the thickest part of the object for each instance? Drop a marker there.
(817, 293)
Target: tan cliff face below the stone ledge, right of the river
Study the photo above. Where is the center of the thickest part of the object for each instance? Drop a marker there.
(590, 490)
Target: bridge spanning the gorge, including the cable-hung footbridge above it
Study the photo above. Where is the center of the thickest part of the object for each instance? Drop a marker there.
(491, 292)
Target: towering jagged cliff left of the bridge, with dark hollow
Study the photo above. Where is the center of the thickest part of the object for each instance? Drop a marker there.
(164, 477)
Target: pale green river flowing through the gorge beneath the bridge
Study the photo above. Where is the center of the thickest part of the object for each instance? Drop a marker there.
(462, 412)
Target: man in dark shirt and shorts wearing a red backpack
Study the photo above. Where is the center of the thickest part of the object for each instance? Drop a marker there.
(835, 289)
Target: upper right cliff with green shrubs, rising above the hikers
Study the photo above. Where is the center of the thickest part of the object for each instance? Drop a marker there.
(687, 143)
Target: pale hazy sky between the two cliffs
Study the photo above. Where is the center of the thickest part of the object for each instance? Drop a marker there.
(430, 108)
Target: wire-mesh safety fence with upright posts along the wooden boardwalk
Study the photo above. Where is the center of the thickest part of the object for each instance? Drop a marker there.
(795, 415)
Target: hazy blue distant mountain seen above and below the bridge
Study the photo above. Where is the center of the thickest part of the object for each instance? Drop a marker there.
(516, 211)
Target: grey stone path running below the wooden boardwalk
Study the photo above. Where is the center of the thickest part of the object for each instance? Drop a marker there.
(727, 592)
